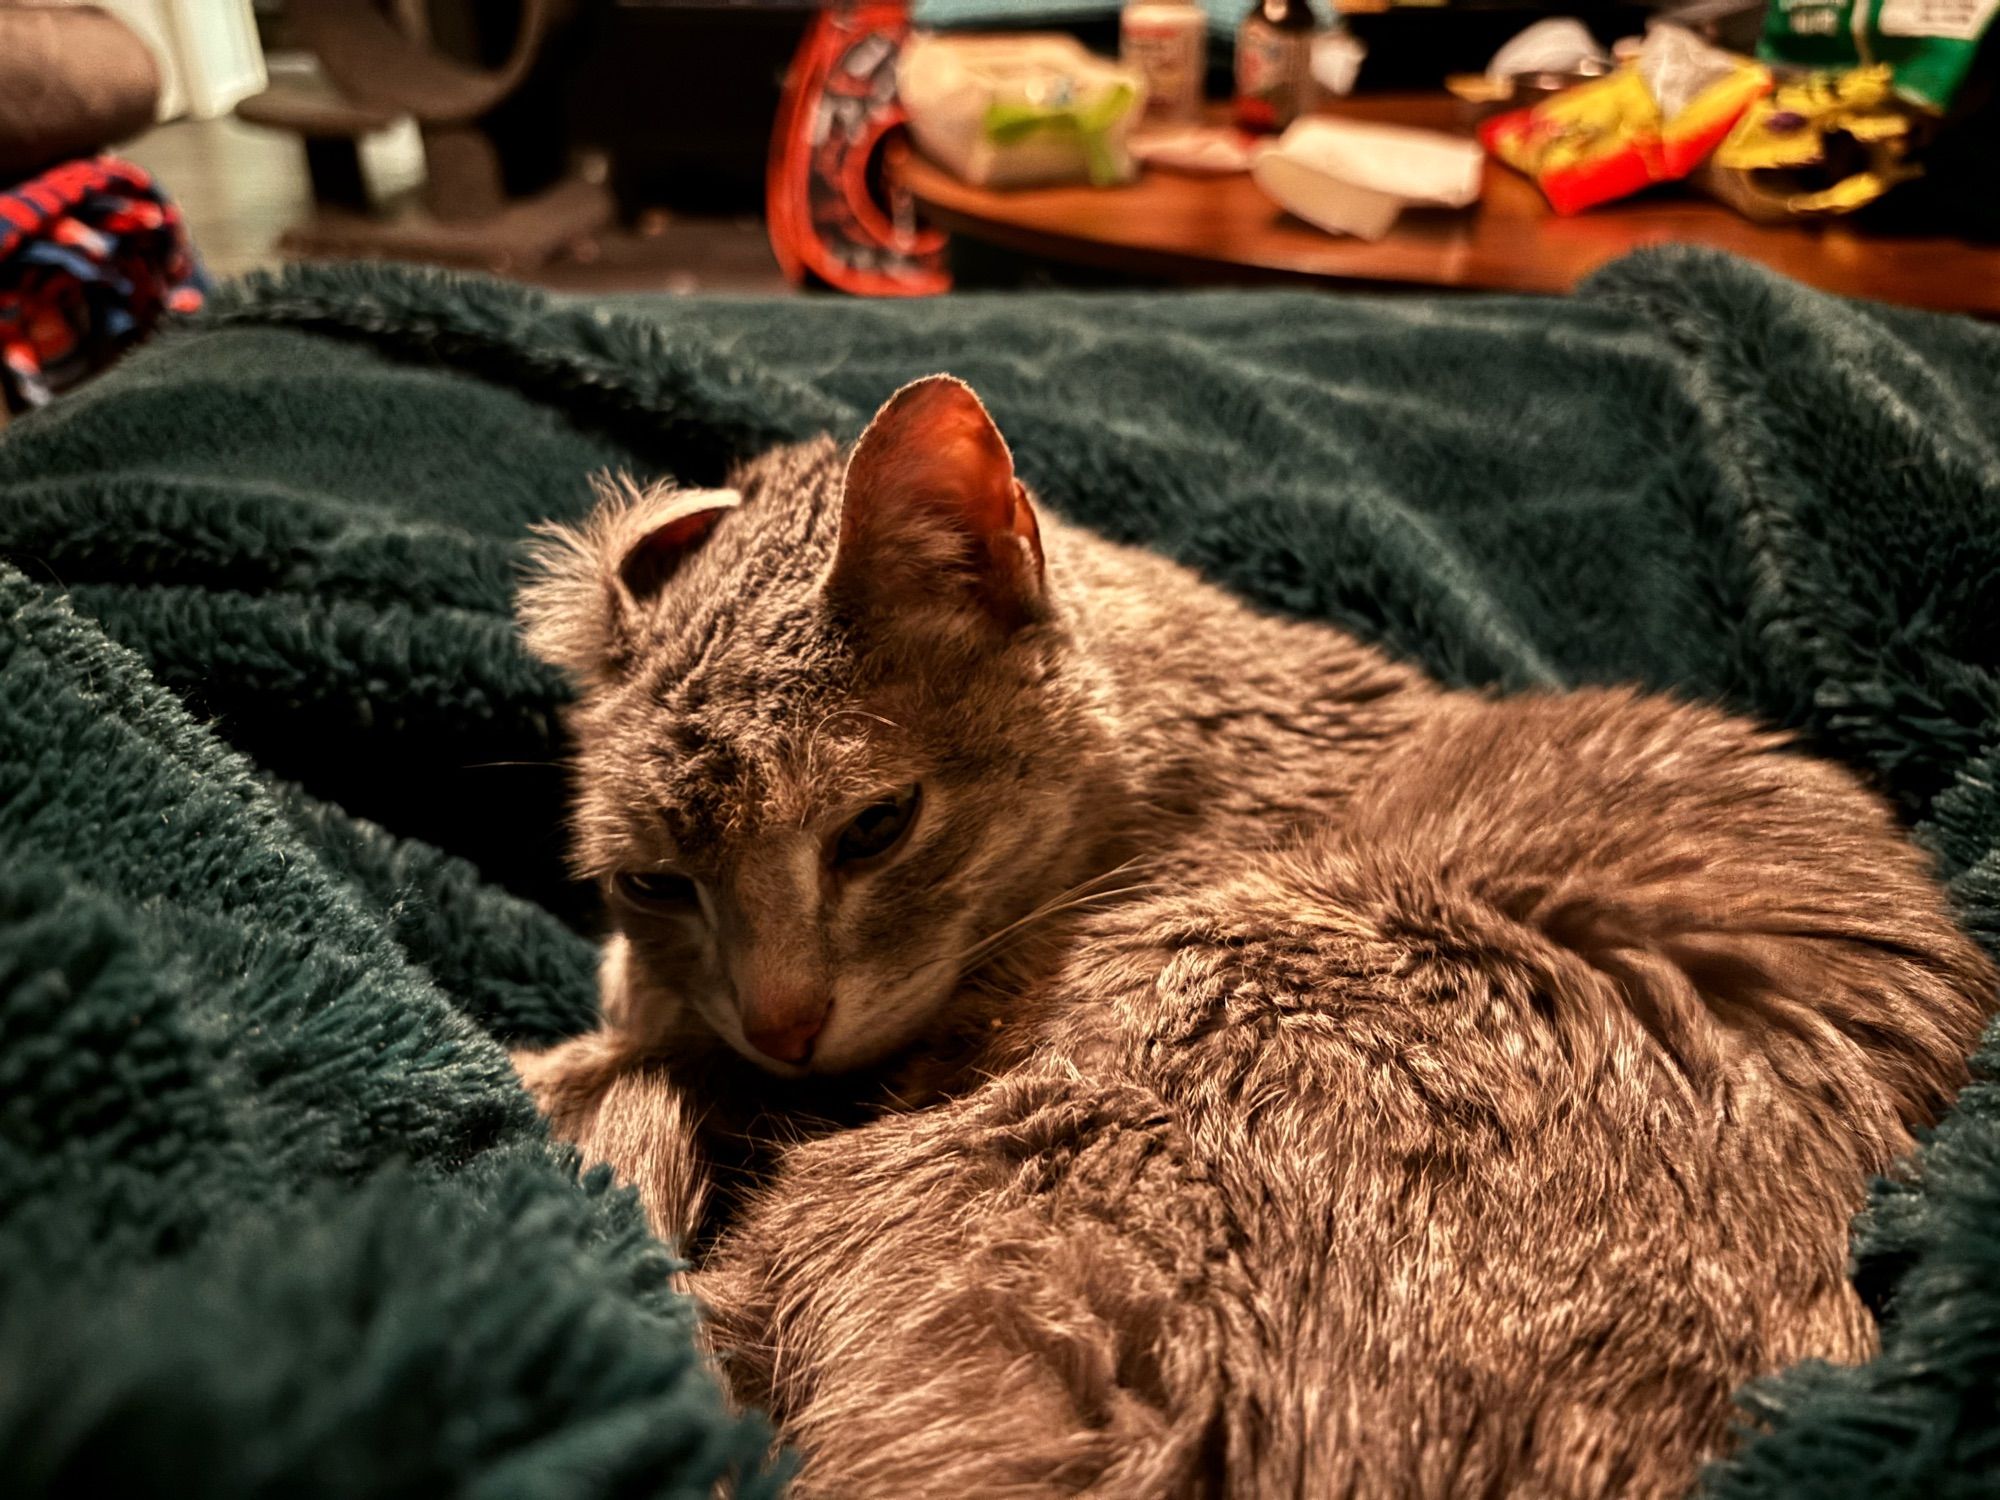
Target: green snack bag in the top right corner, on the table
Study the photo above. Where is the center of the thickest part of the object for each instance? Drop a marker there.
(1927, 43)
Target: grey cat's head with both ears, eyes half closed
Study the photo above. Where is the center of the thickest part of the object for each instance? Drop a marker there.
(831, 731)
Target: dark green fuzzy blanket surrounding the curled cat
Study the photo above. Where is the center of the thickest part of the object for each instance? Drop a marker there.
(281, 805)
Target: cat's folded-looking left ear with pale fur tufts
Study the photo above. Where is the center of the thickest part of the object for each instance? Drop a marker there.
(595, 585)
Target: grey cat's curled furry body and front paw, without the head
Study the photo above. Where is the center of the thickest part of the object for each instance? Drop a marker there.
(1471, 1101)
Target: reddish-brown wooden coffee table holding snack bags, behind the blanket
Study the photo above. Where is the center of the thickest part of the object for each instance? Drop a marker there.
(1191, 229)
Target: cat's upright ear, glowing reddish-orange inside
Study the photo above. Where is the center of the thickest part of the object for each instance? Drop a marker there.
(933, 513)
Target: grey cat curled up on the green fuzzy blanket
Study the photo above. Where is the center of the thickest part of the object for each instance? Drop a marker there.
(1099, 1039)
